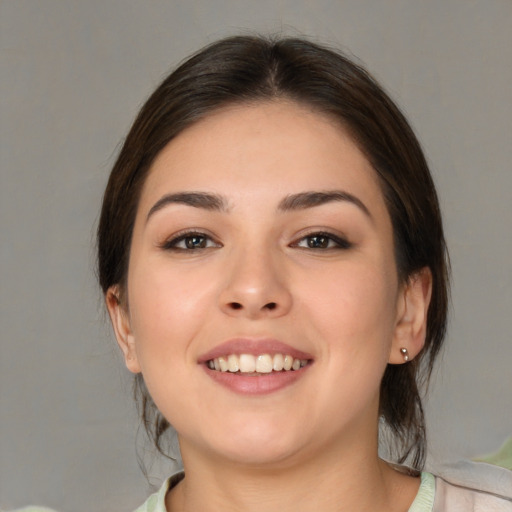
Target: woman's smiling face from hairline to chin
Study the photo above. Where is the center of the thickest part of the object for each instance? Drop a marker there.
(262, 233)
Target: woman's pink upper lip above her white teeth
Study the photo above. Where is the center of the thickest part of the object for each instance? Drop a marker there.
(254, 346)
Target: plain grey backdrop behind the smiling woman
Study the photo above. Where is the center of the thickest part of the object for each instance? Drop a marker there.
(73, 76)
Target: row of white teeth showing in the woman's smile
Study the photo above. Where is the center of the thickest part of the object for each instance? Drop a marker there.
(264, 363)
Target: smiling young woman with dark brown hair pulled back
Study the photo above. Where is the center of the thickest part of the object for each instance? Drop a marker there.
(272, 256)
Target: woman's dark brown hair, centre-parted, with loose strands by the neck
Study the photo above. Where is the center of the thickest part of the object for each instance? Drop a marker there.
(251, 69)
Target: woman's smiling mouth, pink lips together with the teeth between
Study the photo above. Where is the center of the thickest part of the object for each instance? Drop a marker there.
(255, 366)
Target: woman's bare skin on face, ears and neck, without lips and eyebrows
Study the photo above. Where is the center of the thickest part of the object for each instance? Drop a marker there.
(258, 277)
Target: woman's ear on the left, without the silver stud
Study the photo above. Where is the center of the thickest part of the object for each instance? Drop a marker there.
(121, 323)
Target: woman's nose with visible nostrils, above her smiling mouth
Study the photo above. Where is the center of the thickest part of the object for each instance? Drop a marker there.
(256, 286)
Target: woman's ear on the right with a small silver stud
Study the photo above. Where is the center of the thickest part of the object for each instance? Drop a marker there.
(411, 325)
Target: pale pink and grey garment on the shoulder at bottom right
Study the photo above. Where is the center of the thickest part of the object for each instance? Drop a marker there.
(473, 487)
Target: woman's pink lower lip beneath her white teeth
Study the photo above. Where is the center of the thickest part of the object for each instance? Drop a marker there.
(263, 384)
